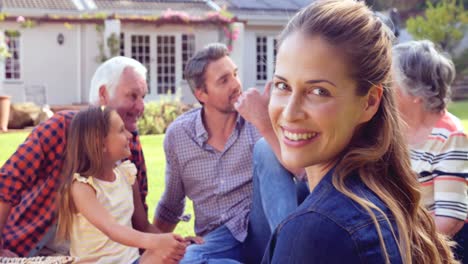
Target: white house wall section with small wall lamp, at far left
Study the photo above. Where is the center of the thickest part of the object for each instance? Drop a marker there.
(44, 62)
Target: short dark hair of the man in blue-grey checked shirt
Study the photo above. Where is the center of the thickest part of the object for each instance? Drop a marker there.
(196, 65)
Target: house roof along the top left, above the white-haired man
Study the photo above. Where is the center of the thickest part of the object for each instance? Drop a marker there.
(94, 11)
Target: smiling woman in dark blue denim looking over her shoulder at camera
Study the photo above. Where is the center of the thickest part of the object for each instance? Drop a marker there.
(334, 114)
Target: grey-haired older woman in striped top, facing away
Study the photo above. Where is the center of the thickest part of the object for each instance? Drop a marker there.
(439, 147)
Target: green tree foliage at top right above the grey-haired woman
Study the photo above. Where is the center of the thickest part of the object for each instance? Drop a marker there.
(444, 23)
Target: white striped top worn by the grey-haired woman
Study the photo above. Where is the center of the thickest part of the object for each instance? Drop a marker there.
(442, 164)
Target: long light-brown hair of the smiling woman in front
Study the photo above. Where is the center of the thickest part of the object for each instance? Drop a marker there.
(377, 152)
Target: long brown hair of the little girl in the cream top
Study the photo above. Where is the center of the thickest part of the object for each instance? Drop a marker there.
(83, 155)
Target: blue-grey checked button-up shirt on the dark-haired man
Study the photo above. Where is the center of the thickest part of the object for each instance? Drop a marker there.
(218, 183)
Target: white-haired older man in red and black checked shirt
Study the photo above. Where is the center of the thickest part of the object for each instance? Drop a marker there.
(29, 179)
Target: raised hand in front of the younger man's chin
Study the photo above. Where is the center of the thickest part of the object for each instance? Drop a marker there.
(253, 107)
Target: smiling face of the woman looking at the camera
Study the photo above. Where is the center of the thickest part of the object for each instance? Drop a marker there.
(314, 108)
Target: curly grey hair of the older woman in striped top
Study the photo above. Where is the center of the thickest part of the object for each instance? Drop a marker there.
(422, 71)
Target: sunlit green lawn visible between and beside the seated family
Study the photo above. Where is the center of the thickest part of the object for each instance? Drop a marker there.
(155, 161)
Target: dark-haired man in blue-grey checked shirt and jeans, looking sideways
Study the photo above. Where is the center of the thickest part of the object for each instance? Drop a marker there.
(209, 158)
